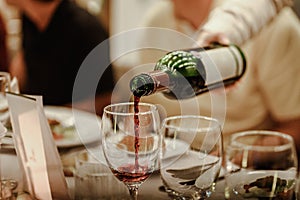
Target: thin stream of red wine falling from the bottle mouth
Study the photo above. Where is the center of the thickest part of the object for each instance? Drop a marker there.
(136, 131)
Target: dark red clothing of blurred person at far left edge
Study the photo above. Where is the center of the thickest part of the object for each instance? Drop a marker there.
(3, 47)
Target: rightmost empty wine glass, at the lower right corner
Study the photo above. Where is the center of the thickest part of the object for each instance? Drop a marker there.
(260, 165)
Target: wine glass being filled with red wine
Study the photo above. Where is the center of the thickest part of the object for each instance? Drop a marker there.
(130, 138)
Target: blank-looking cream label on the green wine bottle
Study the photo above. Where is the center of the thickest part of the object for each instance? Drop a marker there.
(221, 63)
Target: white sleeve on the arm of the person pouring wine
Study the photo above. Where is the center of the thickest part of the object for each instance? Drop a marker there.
(239, 20)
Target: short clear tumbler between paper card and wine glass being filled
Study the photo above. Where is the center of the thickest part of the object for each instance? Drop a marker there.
(94, 180)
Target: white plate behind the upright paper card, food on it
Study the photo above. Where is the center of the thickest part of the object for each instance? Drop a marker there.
(87, 125)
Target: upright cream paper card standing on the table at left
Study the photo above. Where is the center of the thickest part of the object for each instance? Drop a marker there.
(36, 148)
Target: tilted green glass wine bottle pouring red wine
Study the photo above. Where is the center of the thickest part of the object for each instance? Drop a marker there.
(186, 73)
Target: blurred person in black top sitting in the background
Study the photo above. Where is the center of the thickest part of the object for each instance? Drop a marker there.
(57, 37)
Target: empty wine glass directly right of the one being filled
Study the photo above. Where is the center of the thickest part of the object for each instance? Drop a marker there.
(191, 156)
